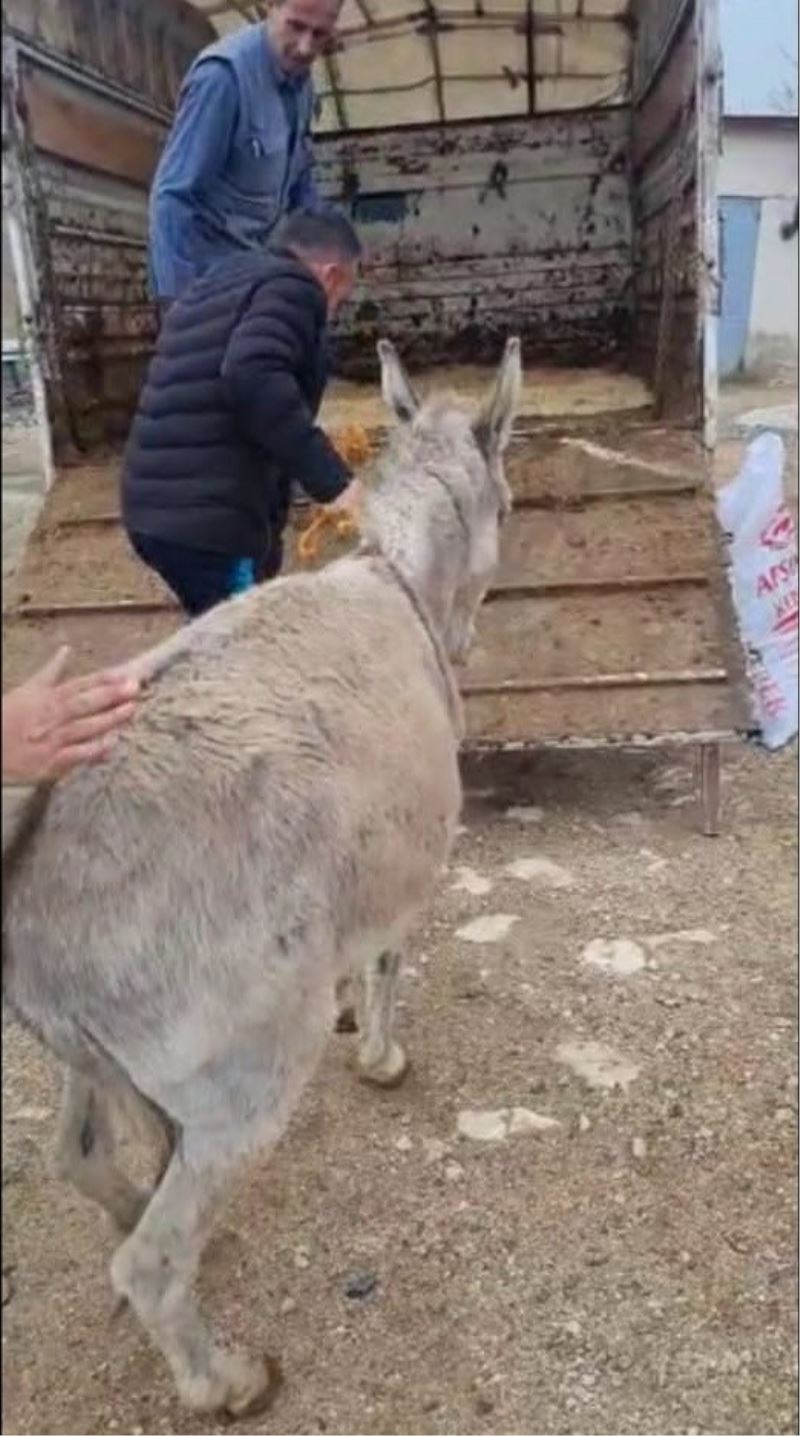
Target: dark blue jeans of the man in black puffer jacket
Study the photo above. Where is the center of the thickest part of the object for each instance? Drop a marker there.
(199, 578)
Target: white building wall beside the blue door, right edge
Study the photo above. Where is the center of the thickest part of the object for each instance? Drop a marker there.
(761, 162)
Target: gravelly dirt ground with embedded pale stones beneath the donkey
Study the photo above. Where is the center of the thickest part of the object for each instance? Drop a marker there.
(420, 1269)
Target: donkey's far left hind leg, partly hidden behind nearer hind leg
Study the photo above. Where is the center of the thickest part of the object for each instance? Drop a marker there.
(85, 1151)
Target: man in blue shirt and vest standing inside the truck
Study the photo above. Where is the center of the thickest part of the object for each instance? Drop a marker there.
(239, 154)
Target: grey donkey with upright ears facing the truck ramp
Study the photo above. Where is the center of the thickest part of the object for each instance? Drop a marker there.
(177, 923)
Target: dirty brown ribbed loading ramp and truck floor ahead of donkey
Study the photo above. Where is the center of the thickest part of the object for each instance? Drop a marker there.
(608, 624)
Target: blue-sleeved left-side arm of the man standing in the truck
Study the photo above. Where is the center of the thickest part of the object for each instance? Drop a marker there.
(196, 153)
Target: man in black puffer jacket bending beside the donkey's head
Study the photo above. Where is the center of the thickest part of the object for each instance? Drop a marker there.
(228, 416)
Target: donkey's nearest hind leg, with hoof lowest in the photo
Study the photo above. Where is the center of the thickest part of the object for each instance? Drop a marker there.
(225, 1115)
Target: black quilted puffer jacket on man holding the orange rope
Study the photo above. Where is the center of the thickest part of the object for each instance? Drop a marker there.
(226, 419)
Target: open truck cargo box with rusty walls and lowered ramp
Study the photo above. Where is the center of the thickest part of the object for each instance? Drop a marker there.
(565, 193)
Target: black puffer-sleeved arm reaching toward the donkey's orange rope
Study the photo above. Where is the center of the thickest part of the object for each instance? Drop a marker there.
(266, 355)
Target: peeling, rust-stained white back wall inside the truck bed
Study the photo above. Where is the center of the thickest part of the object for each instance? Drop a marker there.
(538, 235)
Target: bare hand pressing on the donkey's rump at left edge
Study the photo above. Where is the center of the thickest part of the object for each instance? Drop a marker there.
(51, 727)
